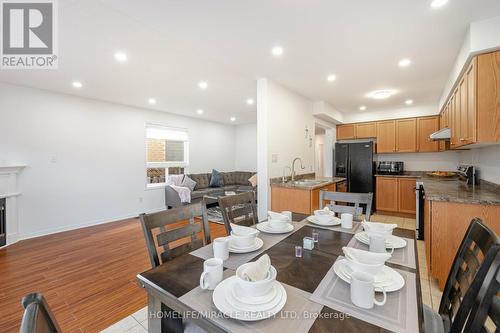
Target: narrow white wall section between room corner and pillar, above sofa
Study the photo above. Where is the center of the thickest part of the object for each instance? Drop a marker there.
(245, 147)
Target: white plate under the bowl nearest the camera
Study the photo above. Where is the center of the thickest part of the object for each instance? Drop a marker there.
(221, 303)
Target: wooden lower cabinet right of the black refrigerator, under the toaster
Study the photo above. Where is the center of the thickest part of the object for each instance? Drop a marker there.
(396, 195)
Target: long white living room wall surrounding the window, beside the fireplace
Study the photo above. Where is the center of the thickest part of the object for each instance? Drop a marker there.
(86, 158)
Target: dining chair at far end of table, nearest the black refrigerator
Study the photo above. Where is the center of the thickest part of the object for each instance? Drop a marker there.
(351, 198)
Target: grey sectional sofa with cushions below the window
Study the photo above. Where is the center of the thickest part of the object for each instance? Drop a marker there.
(233, 181)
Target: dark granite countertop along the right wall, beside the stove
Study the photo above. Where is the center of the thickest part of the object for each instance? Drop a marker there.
(452, 189)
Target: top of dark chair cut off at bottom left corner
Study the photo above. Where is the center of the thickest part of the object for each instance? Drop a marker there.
(37, 317)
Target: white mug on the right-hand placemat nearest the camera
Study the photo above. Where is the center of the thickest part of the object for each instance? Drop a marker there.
(363, 291)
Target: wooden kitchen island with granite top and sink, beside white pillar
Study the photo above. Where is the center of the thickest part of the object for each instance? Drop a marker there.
(302, 195)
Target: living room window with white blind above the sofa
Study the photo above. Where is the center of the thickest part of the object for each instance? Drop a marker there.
(167, 153)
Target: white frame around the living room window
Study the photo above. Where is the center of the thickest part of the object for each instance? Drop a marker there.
(165, 165)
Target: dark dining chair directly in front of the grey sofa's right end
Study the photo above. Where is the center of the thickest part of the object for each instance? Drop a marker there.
(239, 209)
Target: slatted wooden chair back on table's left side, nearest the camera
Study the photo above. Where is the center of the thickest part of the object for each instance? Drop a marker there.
(165, 221)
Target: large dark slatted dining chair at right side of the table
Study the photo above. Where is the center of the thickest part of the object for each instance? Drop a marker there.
(473, 259)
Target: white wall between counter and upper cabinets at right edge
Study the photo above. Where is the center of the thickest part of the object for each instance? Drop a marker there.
(487, 160)
